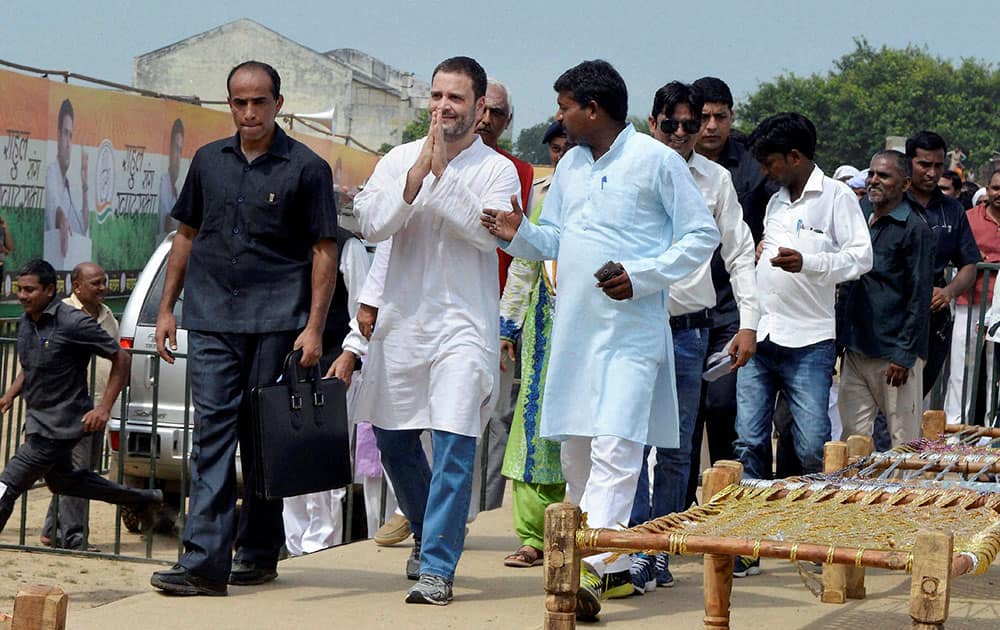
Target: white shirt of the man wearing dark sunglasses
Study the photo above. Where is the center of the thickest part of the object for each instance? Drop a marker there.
(696, 291)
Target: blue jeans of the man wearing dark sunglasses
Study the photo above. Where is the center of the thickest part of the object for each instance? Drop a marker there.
(673, 465)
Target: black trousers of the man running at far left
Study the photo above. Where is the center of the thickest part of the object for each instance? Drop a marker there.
(40, 457)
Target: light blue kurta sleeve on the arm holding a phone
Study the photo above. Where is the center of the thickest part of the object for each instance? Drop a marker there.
(695, 233)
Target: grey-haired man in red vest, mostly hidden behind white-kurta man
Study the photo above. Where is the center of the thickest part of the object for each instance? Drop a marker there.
(498, 114)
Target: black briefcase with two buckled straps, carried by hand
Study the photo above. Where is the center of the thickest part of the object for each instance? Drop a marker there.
(303, 442)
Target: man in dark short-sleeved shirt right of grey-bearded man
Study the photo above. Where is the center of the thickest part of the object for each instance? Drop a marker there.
(954, 244)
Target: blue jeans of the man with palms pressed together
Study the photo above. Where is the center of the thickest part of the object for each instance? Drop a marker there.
(436, 502)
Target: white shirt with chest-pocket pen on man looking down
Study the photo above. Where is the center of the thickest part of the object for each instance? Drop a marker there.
(827, 227)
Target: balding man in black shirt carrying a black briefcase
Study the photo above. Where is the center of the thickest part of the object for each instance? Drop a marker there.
(256, 252)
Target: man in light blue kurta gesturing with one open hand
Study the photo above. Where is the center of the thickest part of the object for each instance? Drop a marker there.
(620, 196)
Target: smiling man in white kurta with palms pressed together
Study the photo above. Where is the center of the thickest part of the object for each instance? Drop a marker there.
(433, 361)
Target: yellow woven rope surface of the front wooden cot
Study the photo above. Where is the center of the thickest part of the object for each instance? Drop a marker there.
(838, 512)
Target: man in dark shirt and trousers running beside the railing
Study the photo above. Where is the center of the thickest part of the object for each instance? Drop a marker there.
(55, 343)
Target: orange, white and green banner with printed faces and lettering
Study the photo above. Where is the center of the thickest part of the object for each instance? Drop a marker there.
(92, 174)
